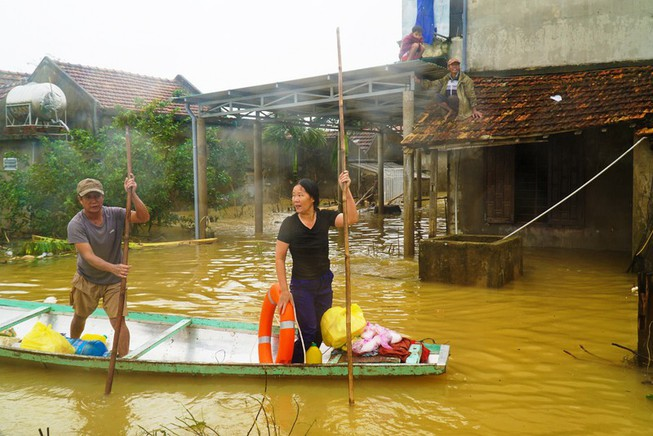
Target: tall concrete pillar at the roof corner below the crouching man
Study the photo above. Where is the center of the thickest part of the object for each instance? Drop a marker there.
(409, 173)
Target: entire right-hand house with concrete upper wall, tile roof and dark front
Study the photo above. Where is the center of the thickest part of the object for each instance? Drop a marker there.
(566, 93)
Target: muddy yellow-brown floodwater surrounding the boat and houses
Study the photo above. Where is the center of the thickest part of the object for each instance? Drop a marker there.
(534, 357)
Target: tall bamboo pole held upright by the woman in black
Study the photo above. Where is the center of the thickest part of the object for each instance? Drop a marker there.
(343, 167)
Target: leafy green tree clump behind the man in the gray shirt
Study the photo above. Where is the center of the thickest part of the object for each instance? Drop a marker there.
(41, 199)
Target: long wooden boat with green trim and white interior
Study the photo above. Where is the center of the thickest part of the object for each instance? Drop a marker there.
(183, 345)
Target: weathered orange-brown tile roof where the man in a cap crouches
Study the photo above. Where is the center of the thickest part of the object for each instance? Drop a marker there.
(525, 106)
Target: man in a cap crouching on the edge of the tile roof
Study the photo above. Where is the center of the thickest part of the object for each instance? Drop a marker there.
(454, 92)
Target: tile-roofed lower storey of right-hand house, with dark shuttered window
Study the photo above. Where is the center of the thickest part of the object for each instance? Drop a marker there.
(544, 134)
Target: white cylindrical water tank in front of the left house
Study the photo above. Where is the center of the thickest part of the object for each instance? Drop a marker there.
(48, 102)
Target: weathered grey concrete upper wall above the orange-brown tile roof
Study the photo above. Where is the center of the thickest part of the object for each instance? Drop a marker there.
(512, 34)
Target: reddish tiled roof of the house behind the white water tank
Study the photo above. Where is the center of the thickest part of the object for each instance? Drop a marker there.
(113, 88)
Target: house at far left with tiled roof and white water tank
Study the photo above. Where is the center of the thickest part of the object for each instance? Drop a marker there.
(86, 98)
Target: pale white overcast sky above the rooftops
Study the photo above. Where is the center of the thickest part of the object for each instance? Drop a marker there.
(216, 45)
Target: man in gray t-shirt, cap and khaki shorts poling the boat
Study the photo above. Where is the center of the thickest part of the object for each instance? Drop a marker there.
(97, 231)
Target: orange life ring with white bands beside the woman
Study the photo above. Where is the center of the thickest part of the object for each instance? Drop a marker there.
(286, 329)
